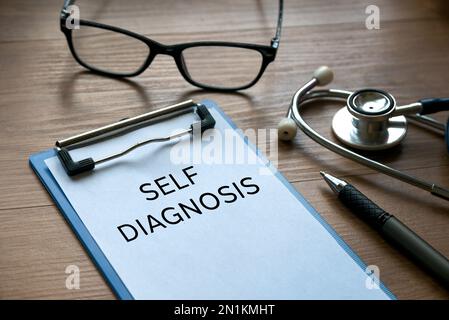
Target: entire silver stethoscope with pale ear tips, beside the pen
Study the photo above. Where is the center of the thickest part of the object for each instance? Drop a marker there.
(371, 120)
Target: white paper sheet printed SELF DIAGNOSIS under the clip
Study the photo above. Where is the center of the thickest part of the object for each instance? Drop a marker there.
(264, 246)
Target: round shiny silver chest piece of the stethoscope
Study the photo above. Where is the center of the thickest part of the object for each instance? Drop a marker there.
(367, 122)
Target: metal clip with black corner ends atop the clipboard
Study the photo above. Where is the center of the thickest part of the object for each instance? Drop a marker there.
(76, 167)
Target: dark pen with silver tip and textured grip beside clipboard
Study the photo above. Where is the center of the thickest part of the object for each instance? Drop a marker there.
(391, 228)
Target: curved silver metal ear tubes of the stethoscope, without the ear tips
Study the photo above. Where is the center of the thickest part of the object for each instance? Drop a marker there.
(304, 95)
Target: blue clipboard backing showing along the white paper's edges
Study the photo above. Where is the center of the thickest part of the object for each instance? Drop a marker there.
(37, 163)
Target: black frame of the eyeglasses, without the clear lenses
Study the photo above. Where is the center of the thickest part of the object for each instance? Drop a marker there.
(268, 52)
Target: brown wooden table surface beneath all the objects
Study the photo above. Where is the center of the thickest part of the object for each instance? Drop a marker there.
(45, 95)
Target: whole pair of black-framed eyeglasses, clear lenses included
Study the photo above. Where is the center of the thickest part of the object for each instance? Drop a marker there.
(213, 65)
